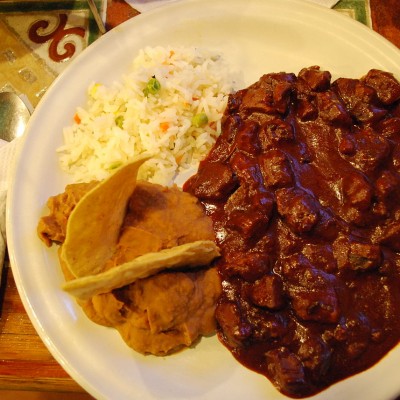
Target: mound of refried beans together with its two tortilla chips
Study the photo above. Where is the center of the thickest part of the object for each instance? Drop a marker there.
(118, 237)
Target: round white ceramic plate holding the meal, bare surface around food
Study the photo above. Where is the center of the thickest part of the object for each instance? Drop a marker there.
(255, 36)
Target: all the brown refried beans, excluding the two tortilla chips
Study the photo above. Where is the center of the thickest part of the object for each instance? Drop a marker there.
(163, 313)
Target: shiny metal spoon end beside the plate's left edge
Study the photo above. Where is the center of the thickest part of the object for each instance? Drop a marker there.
(14, 115)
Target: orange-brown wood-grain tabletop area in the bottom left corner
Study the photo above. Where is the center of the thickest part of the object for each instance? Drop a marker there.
(25, 363)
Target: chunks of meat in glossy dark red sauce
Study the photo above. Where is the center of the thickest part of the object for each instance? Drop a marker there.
(303, 190)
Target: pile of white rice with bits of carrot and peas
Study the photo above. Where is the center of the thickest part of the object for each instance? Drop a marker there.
(123, 120)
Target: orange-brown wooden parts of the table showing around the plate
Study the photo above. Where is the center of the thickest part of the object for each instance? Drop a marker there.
(27, 369)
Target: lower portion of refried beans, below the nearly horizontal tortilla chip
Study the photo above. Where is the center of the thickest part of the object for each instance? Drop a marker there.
(163, 313)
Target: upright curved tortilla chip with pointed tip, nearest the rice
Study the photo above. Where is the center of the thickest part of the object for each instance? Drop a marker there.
(94, 225)
